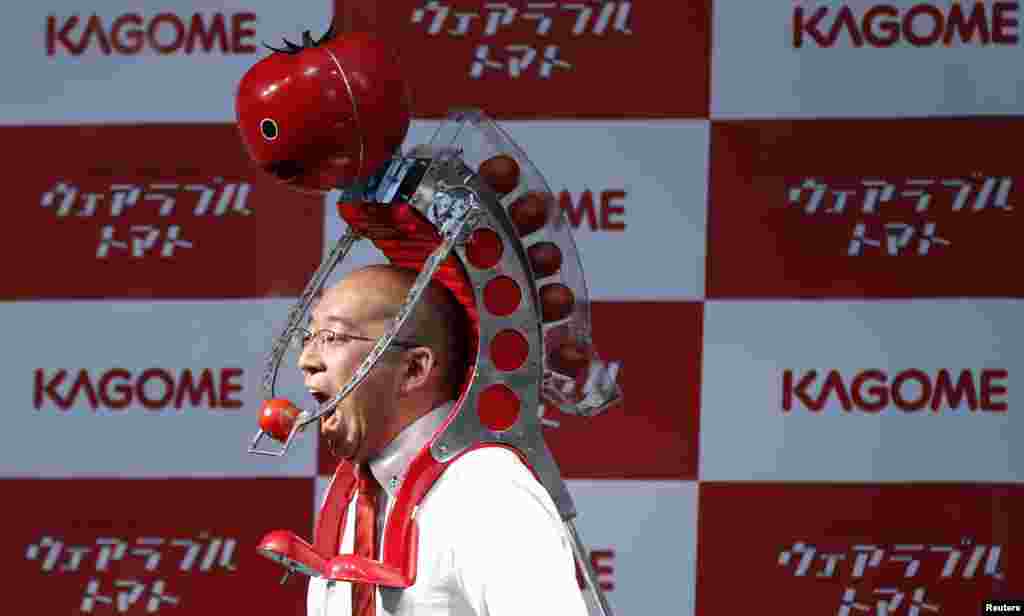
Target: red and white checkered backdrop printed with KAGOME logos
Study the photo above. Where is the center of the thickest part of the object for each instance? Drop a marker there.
(799, 223)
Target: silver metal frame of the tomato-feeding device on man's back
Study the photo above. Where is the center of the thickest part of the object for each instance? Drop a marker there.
(449, 174)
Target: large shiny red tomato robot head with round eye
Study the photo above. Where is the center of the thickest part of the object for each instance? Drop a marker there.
(324, 115)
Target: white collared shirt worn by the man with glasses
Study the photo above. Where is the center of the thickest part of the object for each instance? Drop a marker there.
(492, 543)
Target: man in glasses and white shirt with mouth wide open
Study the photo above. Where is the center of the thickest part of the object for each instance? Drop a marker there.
(492, 543)
